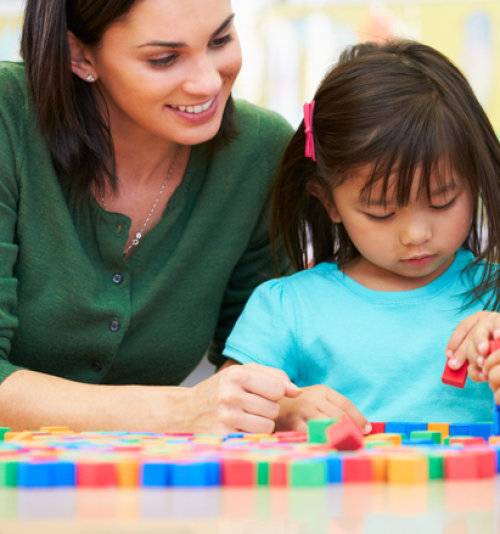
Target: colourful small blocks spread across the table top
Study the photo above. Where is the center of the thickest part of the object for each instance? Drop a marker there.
(333, 451)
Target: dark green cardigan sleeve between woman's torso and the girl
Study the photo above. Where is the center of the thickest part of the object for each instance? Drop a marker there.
(256, 265)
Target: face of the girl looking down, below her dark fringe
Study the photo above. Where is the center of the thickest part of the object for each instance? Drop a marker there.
(403, 247)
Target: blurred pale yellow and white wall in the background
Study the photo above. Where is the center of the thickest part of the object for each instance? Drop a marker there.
(289, 44)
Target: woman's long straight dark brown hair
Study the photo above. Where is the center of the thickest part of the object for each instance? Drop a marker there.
(69, 116)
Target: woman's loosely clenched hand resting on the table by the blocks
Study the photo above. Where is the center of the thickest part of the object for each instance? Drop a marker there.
(239, 398)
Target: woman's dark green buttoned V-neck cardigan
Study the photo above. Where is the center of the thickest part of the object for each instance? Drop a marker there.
(71, 306)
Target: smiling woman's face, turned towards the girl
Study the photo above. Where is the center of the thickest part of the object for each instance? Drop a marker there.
(166, 71)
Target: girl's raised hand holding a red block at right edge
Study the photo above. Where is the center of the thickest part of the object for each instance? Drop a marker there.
(470, 341)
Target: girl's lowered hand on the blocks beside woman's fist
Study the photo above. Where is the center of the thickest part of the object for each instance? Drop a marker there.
(314, 403)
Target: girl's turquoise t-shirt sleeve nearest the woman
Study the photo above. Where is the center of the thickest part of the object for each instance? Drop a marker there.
(266, 332)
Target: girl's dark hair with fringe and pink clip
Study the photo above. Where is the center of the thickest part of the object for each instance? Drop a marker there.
(396, 107)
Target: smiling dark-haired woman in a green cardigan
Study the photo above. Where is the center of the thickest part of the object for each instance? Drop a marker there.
(133, 228)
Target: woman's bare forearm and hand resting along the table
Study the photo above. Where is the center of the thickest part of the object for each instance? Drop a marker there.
(243, 398)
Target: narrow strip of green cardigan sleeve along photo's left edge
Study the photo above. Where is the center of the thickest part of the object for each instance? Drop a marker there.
(9, 194)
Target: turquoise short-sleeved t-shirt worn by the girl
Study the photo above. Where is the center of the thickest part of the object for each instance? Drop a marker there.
(382, 350)
